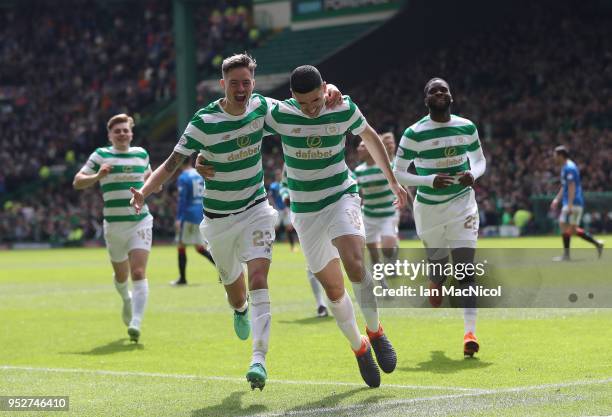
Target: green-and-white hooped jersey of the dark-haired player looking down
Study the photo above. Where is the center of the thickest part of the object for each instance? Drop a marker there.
(314, 150)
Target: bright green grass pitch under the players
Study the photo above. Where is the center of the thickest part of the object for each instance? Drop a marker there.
(61, 334)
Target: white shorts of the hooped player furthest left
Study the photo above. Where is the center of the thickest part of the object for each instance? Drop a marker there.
(123, 237)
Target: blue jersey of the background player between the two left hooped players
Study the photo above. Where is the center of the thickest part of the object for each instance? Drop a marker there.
(191, 191)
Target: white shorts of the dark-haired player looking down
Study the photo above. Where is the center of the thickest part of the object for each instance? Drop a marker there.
(317, 230)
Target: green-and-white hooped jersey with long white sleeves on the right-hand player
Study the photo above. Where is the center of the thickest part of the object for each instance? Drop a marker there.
(436, 148)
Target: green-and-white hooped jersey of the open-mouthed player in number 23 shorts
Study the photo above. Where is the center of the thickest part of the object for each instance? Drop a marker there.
(232, 145)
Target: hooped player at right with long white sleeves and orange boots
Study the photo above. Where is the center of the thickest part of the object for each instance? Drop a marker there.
(448, 158)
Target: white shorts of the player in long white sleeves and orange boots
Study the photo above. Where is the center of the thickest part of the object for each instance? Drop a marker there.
(447, 225)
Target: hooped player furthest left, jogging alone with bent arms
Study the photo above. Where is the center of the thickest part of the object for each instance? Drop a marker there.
(127, 234)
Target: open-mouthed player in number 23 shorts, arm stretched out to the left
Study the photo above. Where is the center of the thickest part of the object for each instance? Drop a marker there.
(238, 220)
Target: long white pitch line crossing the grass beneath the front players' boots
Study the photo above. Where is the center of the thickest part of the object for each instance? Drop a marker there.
(227, 378)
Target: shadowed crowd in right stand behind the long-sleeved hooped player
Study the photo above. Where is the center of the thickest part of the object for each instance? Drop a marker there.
(529, 86)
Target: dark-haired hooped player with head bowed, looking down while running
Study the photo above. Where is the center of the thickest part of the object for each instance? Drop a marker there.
(326, 210)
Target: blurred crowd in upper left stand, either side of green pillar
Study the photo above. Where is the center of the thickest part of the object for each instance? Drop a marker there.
(66, 71)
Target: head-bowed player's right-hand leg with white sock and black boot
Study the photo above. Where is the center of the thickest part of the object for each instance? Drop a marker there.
(350, 248)
